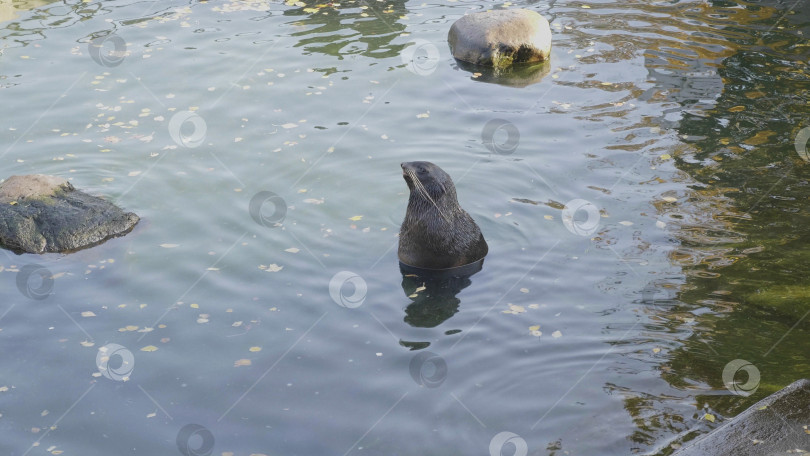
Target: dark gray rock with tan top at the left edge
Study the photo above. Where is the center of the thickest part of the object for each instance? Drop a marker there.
(46, 214)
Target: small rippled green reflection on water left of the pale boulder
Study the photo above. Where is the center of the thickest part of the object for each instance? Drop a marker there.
(365, 28)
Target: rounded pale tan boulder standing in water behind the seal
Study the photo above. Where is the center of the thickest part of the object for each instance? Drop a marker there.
(501, 38)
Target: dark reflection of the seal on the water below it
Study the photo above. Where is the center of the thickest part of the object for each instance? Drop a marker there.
(437, 301)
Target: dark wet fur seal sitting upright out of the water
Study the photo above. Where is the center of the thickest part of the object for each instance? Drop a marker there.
(436, 233)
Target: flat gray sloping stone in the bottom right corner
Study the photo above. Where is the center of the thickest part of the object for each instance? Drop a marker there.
(773, 426)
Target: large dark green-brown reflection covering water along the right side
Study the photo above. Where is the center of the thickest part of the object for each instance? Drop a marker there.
(736, 94)
